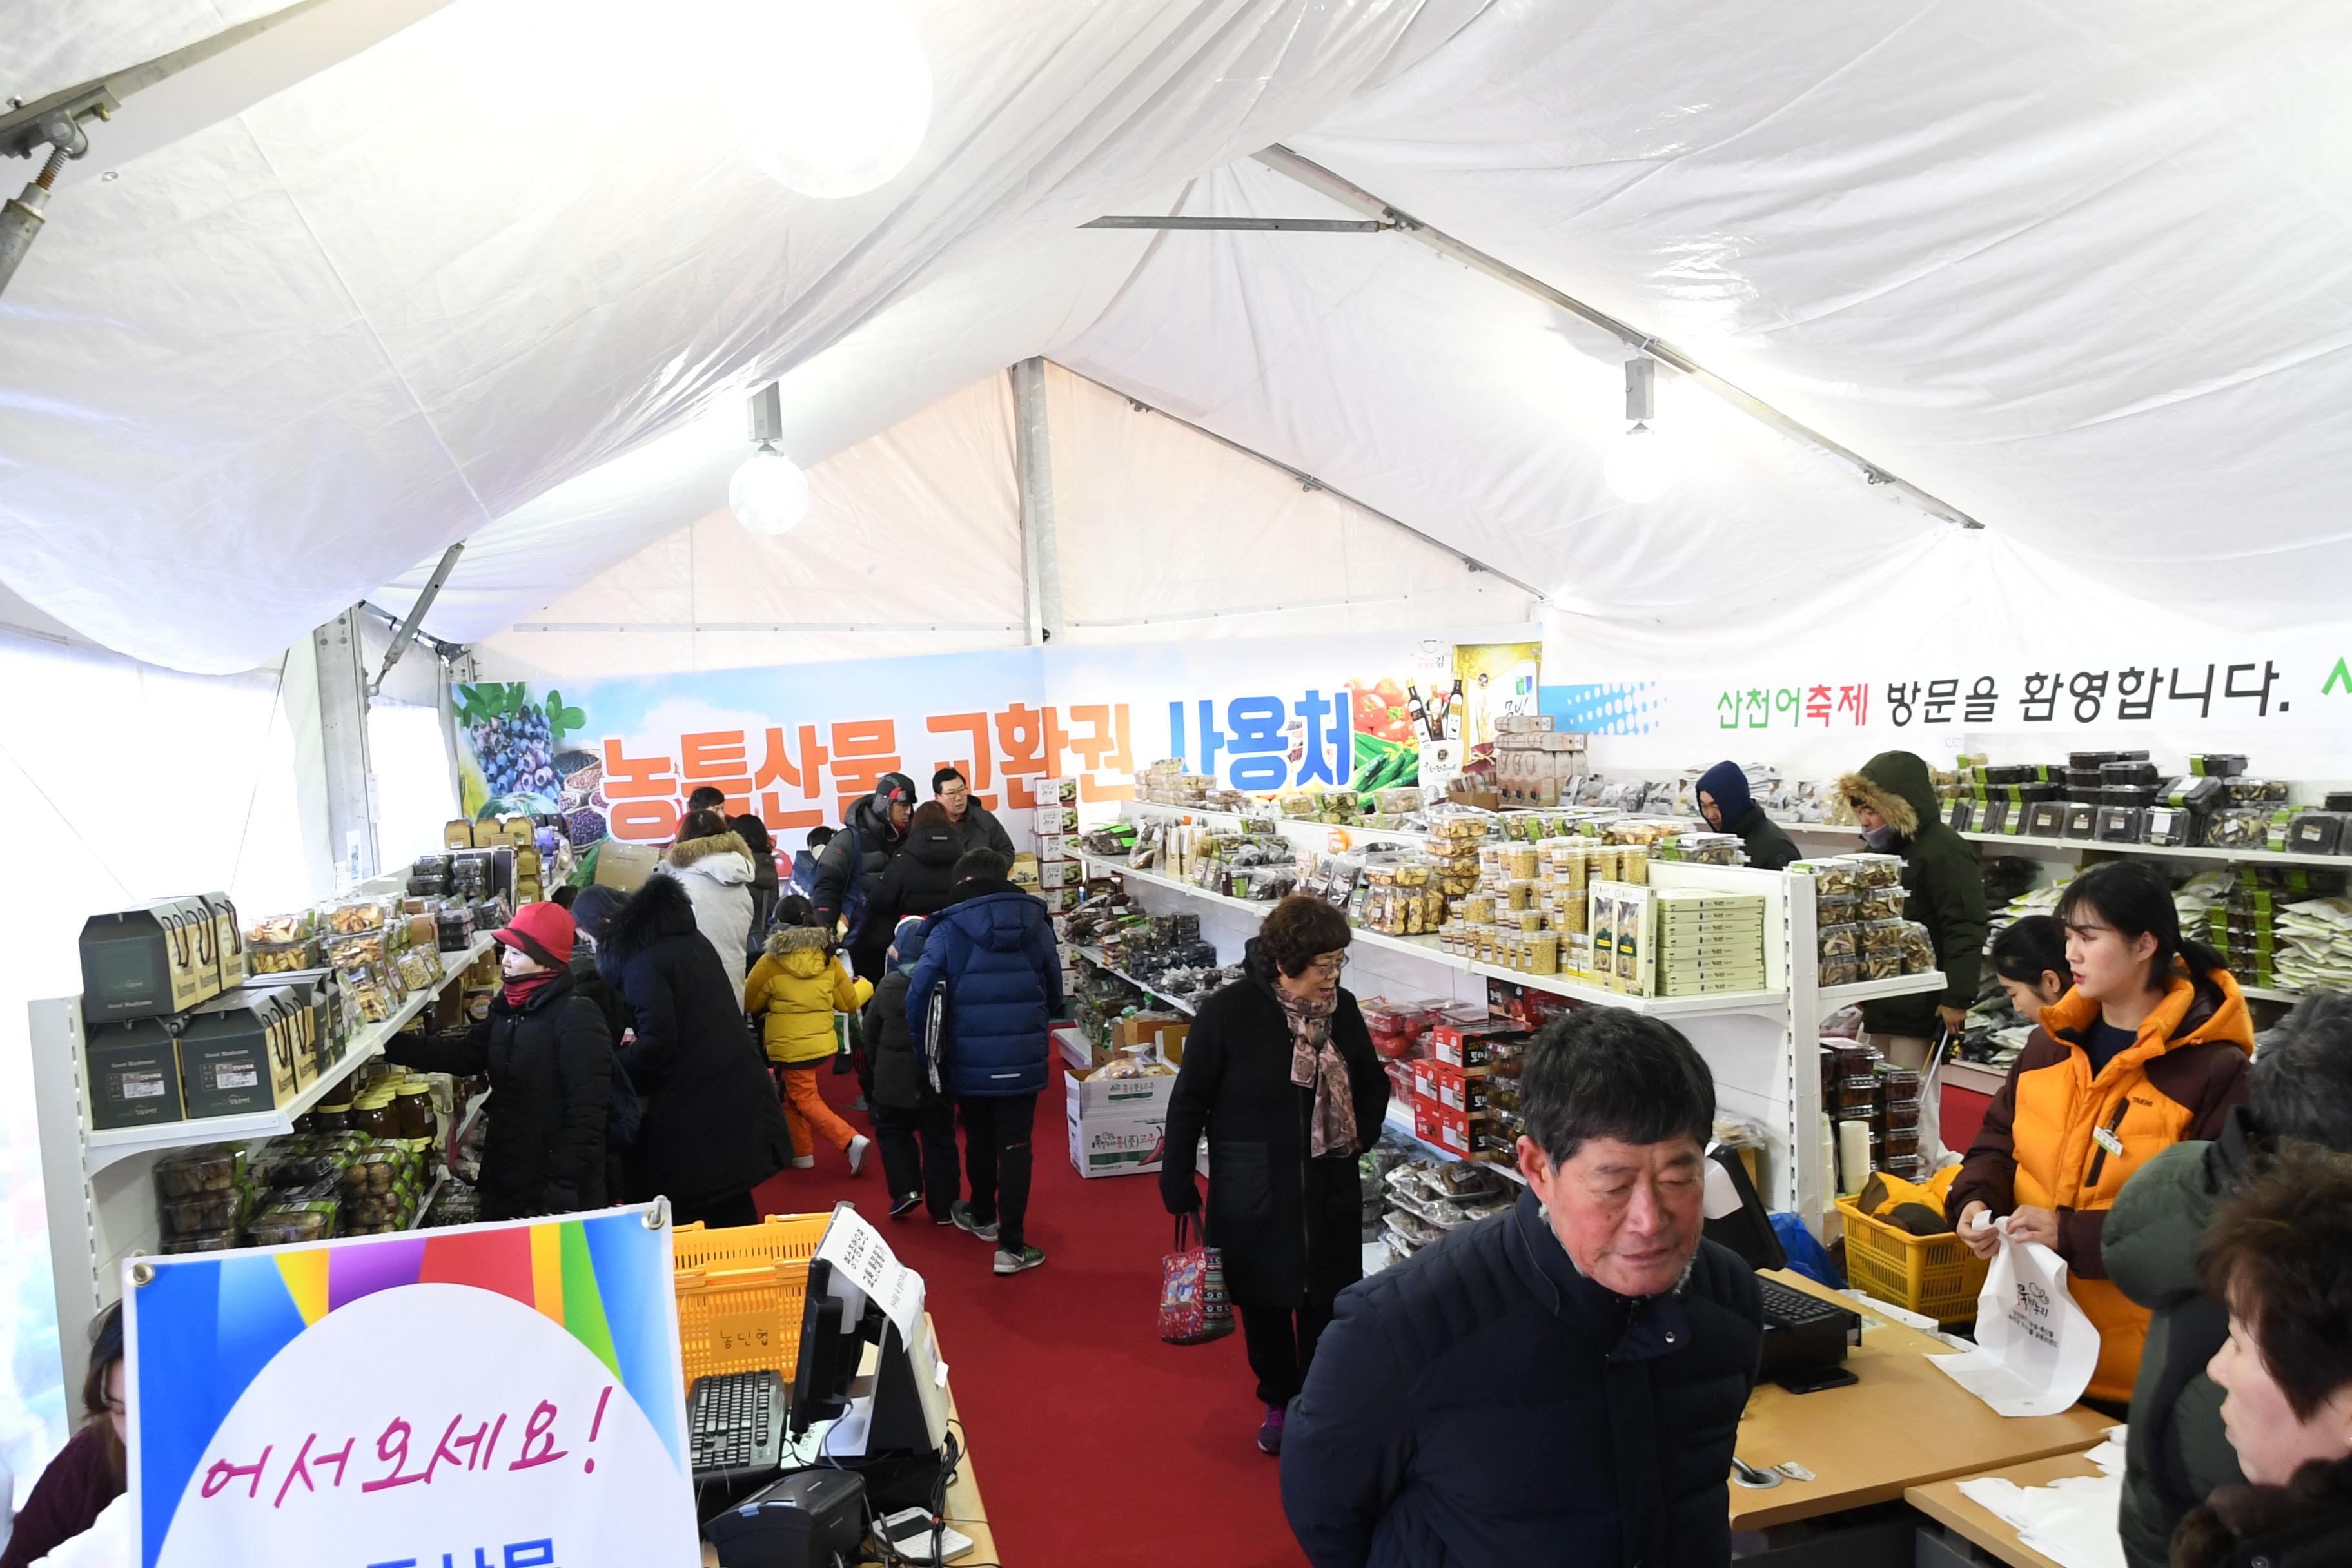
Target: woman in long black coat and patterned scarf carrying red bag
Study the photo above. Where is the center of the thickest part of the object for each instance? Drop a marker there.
(1281, 1076)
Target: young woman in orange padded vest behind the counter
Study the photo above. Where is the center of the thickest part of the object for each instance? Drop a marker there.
(2146, 1050)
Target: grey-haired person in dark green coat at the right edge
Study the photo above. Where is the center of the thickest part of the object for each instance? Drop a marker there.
(2179, 1454)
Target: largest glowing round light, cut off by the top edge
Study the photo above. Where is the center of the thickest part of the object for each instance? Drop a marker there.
(831, 98)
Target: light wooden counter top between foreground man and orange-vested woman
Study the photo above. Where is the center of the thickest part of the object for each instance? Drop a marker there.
(1899, 1426)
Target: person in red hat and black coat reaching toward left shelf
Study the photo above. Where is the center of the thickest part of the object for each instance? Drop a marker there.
(549, 1061)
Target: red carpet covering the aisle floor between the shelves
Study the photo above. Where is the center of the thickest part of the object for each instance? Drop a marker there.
(1093, 1442)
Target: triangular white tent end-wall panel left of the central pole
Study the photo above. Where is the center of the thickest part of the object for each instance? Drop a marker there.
(911, 547)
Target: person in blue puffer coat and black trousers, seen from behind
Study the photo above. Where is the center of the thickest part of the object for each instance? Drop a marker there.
(994, 953)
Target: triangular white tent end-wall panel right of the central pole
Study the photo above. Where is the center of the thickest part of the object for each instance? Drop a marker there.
(1165, 535)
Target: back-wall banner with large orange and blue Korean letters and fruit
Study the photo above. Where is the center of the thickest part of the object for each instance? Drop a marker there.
(799, 746)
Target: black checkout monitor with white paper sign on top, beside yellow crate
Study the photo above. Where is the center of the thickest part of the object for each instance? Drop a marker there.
(893, 1407)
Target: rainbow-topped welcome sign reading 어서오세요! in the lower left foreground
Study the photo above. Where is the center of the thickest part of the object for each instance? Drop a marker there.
(486, 1395)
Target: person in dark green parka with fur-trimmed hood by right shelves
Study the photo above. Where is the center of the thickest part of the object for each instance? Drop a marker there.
(1895, 803)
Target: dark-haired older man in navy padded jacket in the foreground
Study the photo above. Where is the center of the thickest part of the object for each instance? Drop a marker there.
(1561, 1383)
